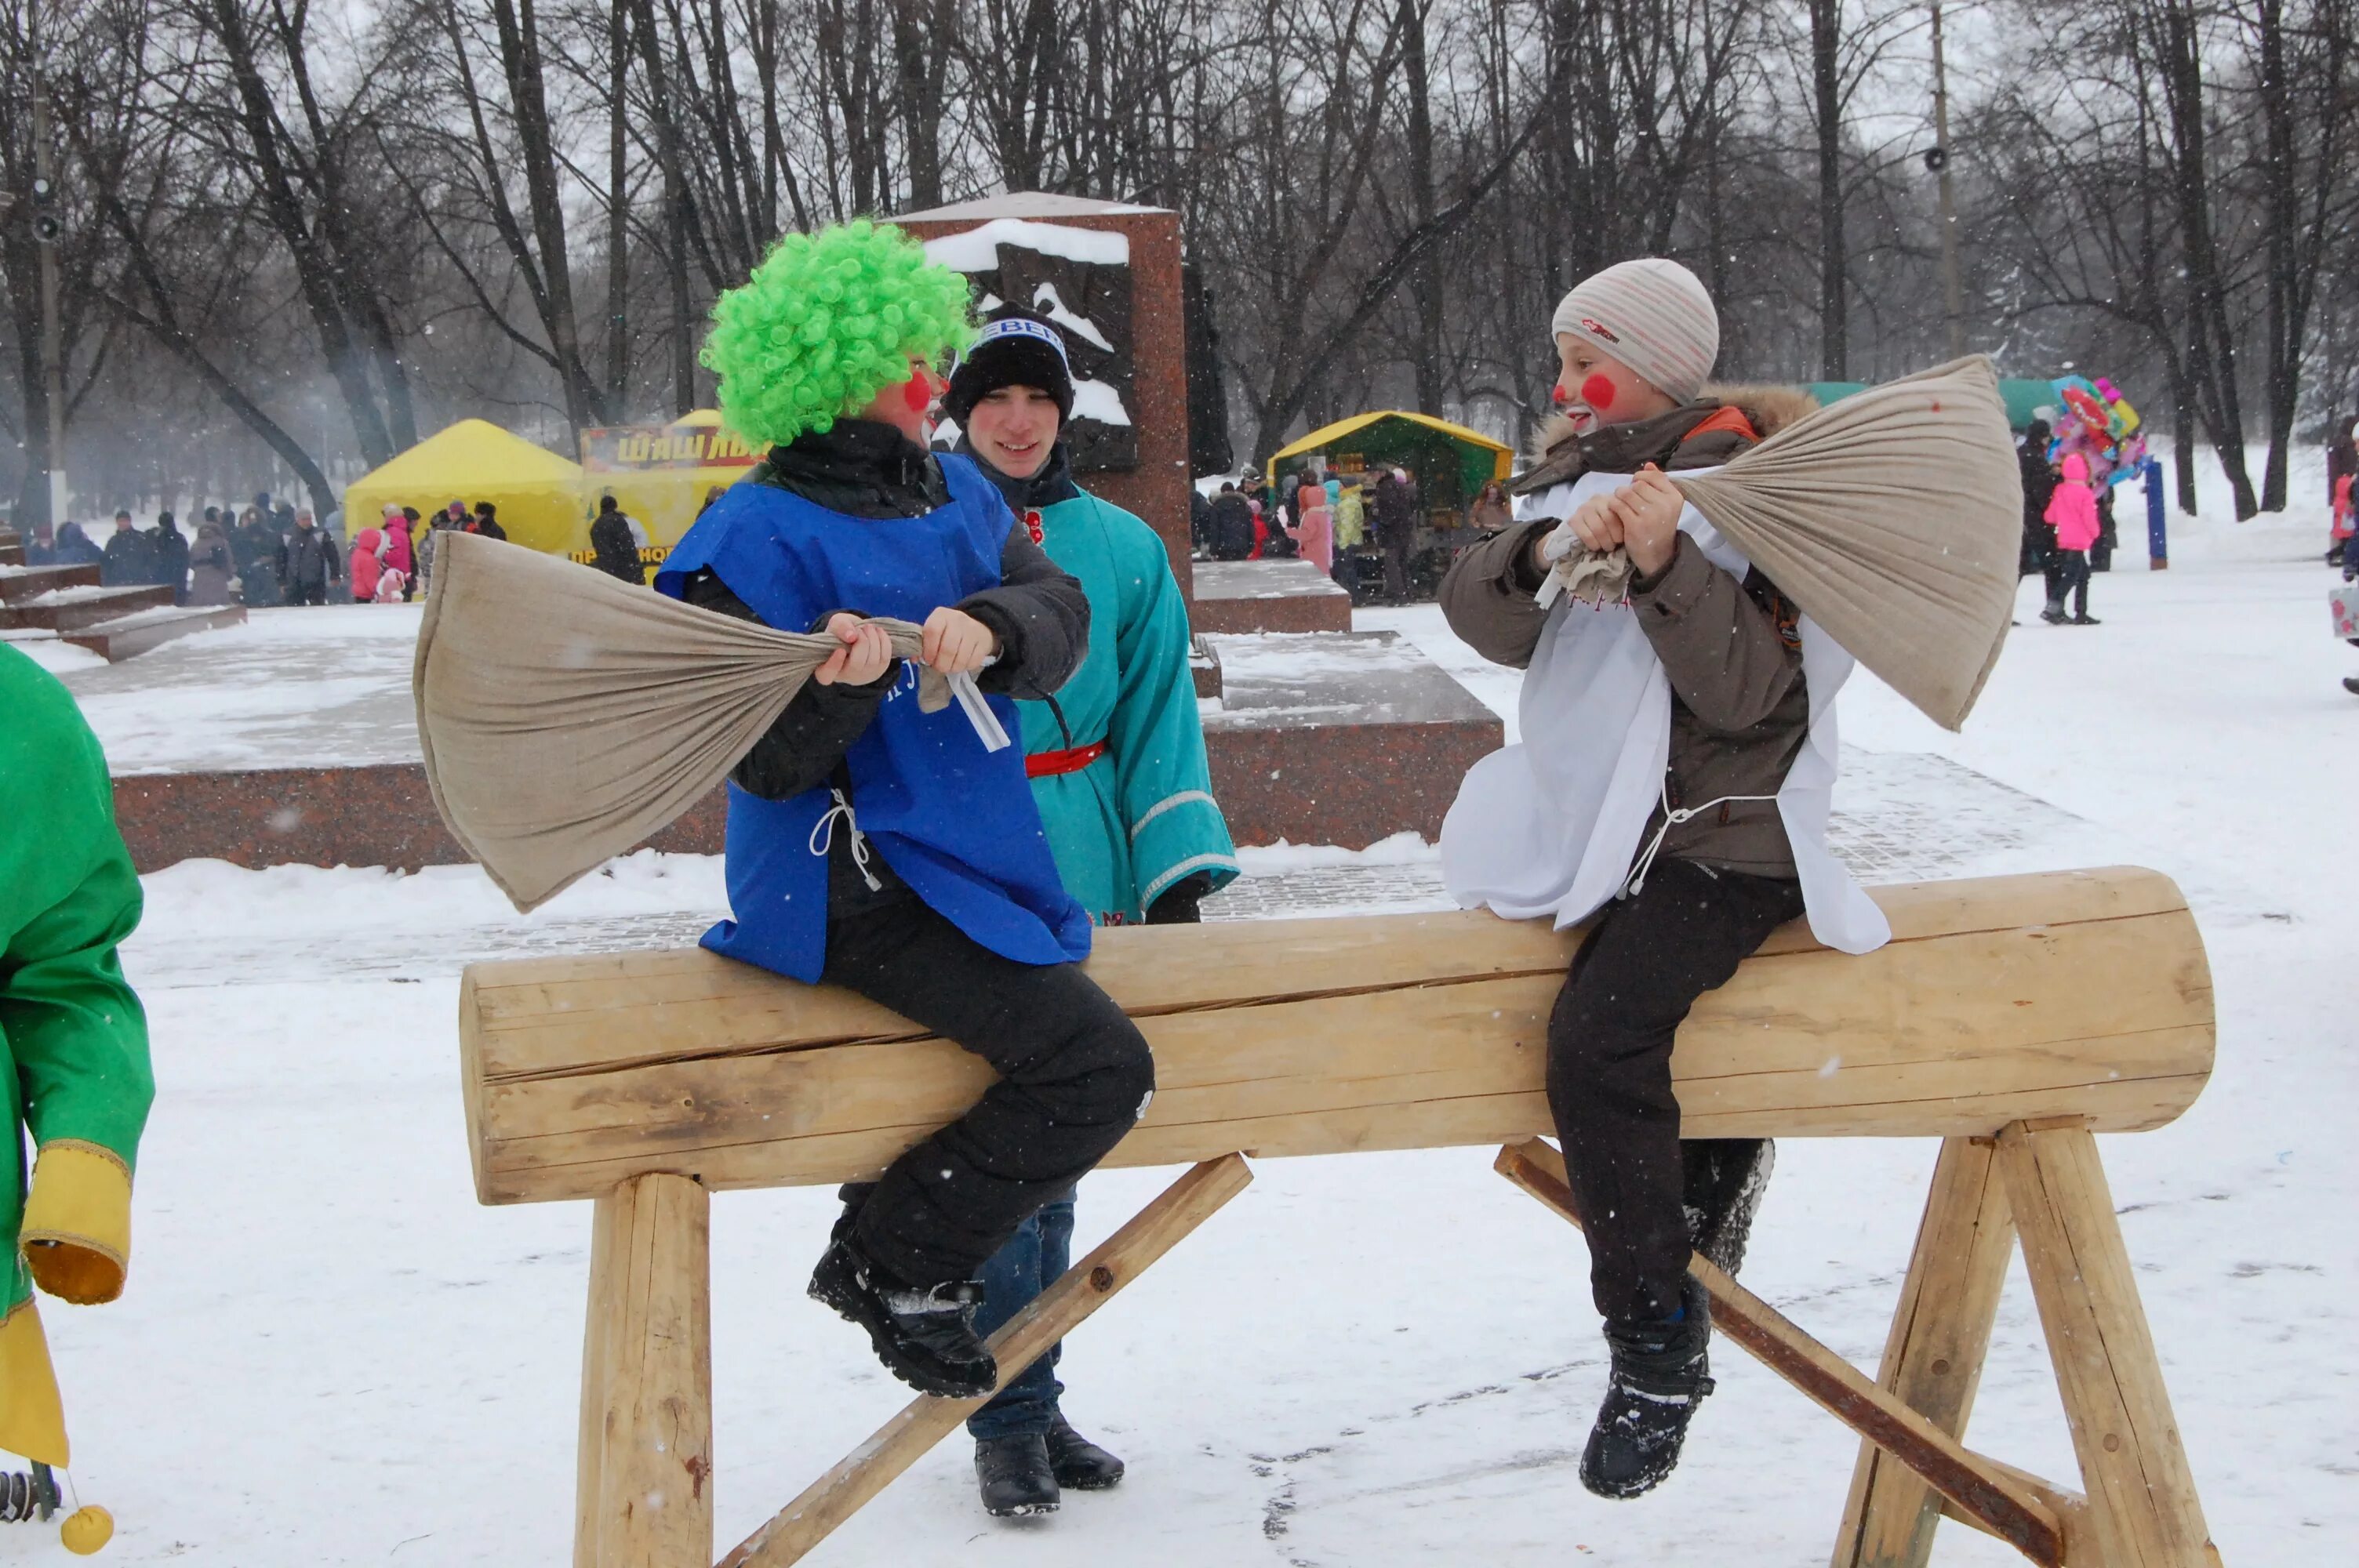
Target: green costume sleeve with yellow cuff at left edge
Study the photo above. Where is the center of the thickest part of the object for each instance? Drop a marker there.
(72, 1029)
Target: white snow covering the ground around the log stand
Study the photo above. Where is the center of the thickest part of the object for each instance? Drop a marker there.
(331, 1355)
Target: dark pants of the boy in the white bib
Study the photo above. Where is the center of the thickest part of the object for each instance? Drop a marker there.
(1610, 1069)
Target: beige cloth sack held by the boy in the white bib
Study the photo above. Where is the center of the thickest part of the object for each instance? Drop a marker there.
(1893, 518)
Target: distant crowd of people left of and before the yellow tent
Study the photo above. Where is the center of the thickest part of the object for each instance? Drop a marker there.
(268, 555)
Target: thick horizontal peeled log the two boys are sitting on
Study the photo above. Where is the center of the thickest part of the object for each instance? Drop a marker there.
(1327, 1036)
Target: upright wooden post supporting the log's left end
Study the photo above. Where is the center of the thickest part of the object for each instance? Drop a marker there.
(645, 1468)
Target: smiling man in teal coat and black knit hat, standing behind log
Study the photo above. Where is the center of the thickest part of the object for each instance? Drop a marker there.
(1119, 772)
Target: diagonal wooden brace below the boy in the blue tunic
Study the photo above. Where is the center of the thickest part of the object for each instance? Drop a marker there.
(1023, 1340)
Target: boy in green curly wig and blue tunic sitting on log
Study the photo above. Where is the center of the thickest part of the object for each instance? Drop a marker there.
(881, 848)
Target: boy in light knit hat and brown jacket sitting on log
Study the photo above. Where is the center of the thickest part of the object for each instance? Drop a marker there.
(1716, 871)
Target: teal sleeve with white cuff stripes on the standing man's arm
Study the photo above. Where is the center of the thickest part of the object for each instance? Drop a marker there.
(1157, 737)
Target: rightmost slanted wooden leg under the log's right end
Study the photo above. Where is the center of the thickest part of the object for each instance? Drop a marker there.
(2143, 1508)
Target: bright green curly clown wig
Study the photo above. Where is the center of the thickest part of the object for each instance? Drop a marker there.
(829, 322)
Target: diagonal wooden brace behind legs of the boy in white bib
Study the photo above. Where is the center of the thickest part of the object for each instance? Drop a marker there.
(1987, 1494)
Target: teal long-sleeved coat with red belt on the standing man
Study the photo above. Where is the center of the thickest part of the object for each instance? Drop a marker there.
(1143, 815)
